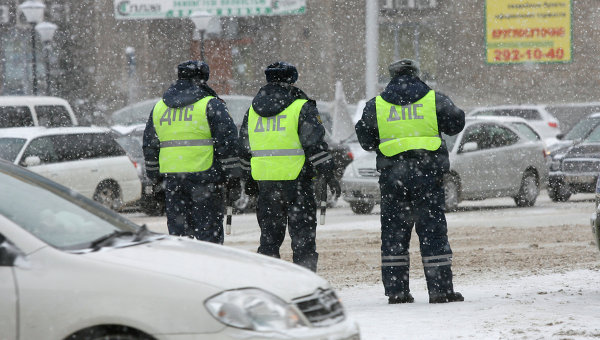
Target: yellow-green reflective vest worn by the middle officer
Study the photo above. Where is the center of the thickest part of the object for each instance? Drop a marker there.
(277, 153)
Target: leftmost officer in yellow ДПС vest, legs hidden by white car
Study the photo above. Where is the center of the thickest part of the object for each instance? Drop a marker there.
(191, 140)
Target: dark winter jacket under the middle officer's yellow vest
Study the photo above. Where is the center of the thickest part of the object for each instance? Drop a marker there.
(272, 99)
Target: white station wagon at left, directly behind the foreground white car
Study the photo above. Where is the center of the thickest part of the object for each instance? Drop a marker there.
(86, 159)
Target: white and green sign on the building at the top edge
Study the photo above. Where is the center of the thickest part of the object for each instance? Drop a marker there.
(165, 9)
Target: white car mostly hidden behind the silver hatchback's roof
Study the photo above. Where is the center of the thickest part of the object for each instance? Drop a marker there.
(537, 115)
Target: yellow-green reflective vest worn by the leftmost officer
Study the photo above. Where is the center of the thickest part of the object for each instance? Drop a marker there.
(185, 140)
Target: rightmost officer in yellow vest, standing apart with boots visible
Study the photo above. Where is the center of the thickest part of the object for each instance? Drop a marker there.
(404, 125)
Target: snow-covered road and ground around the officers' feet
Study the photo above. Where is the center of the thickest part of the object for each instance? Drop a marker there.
(527, 273)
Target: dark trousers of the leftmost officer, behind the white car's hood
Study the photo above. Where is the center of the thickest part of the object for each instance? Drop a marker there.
(194, 209)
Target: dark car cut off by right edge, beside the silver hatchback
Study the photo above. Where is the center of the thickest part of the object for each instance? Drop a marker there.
(576, 170)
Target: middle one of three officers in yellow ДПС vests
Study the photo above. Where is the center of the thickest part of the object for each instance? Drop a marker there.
(282, 150)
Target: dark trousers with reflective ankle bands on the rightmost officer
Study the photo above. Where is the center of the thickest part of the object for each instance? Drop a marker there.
(412, 196)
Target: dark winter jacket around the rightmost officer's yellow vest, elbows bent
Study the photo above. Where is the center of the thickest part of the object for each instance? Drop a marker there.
(403, 90)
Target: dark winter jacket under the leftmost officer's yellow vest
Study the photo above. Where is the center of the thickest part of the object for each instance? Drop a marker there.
(223, 131)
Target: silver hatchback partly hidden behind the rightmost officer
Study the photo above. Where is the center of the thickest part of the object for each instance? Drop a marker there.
(491, 157)
